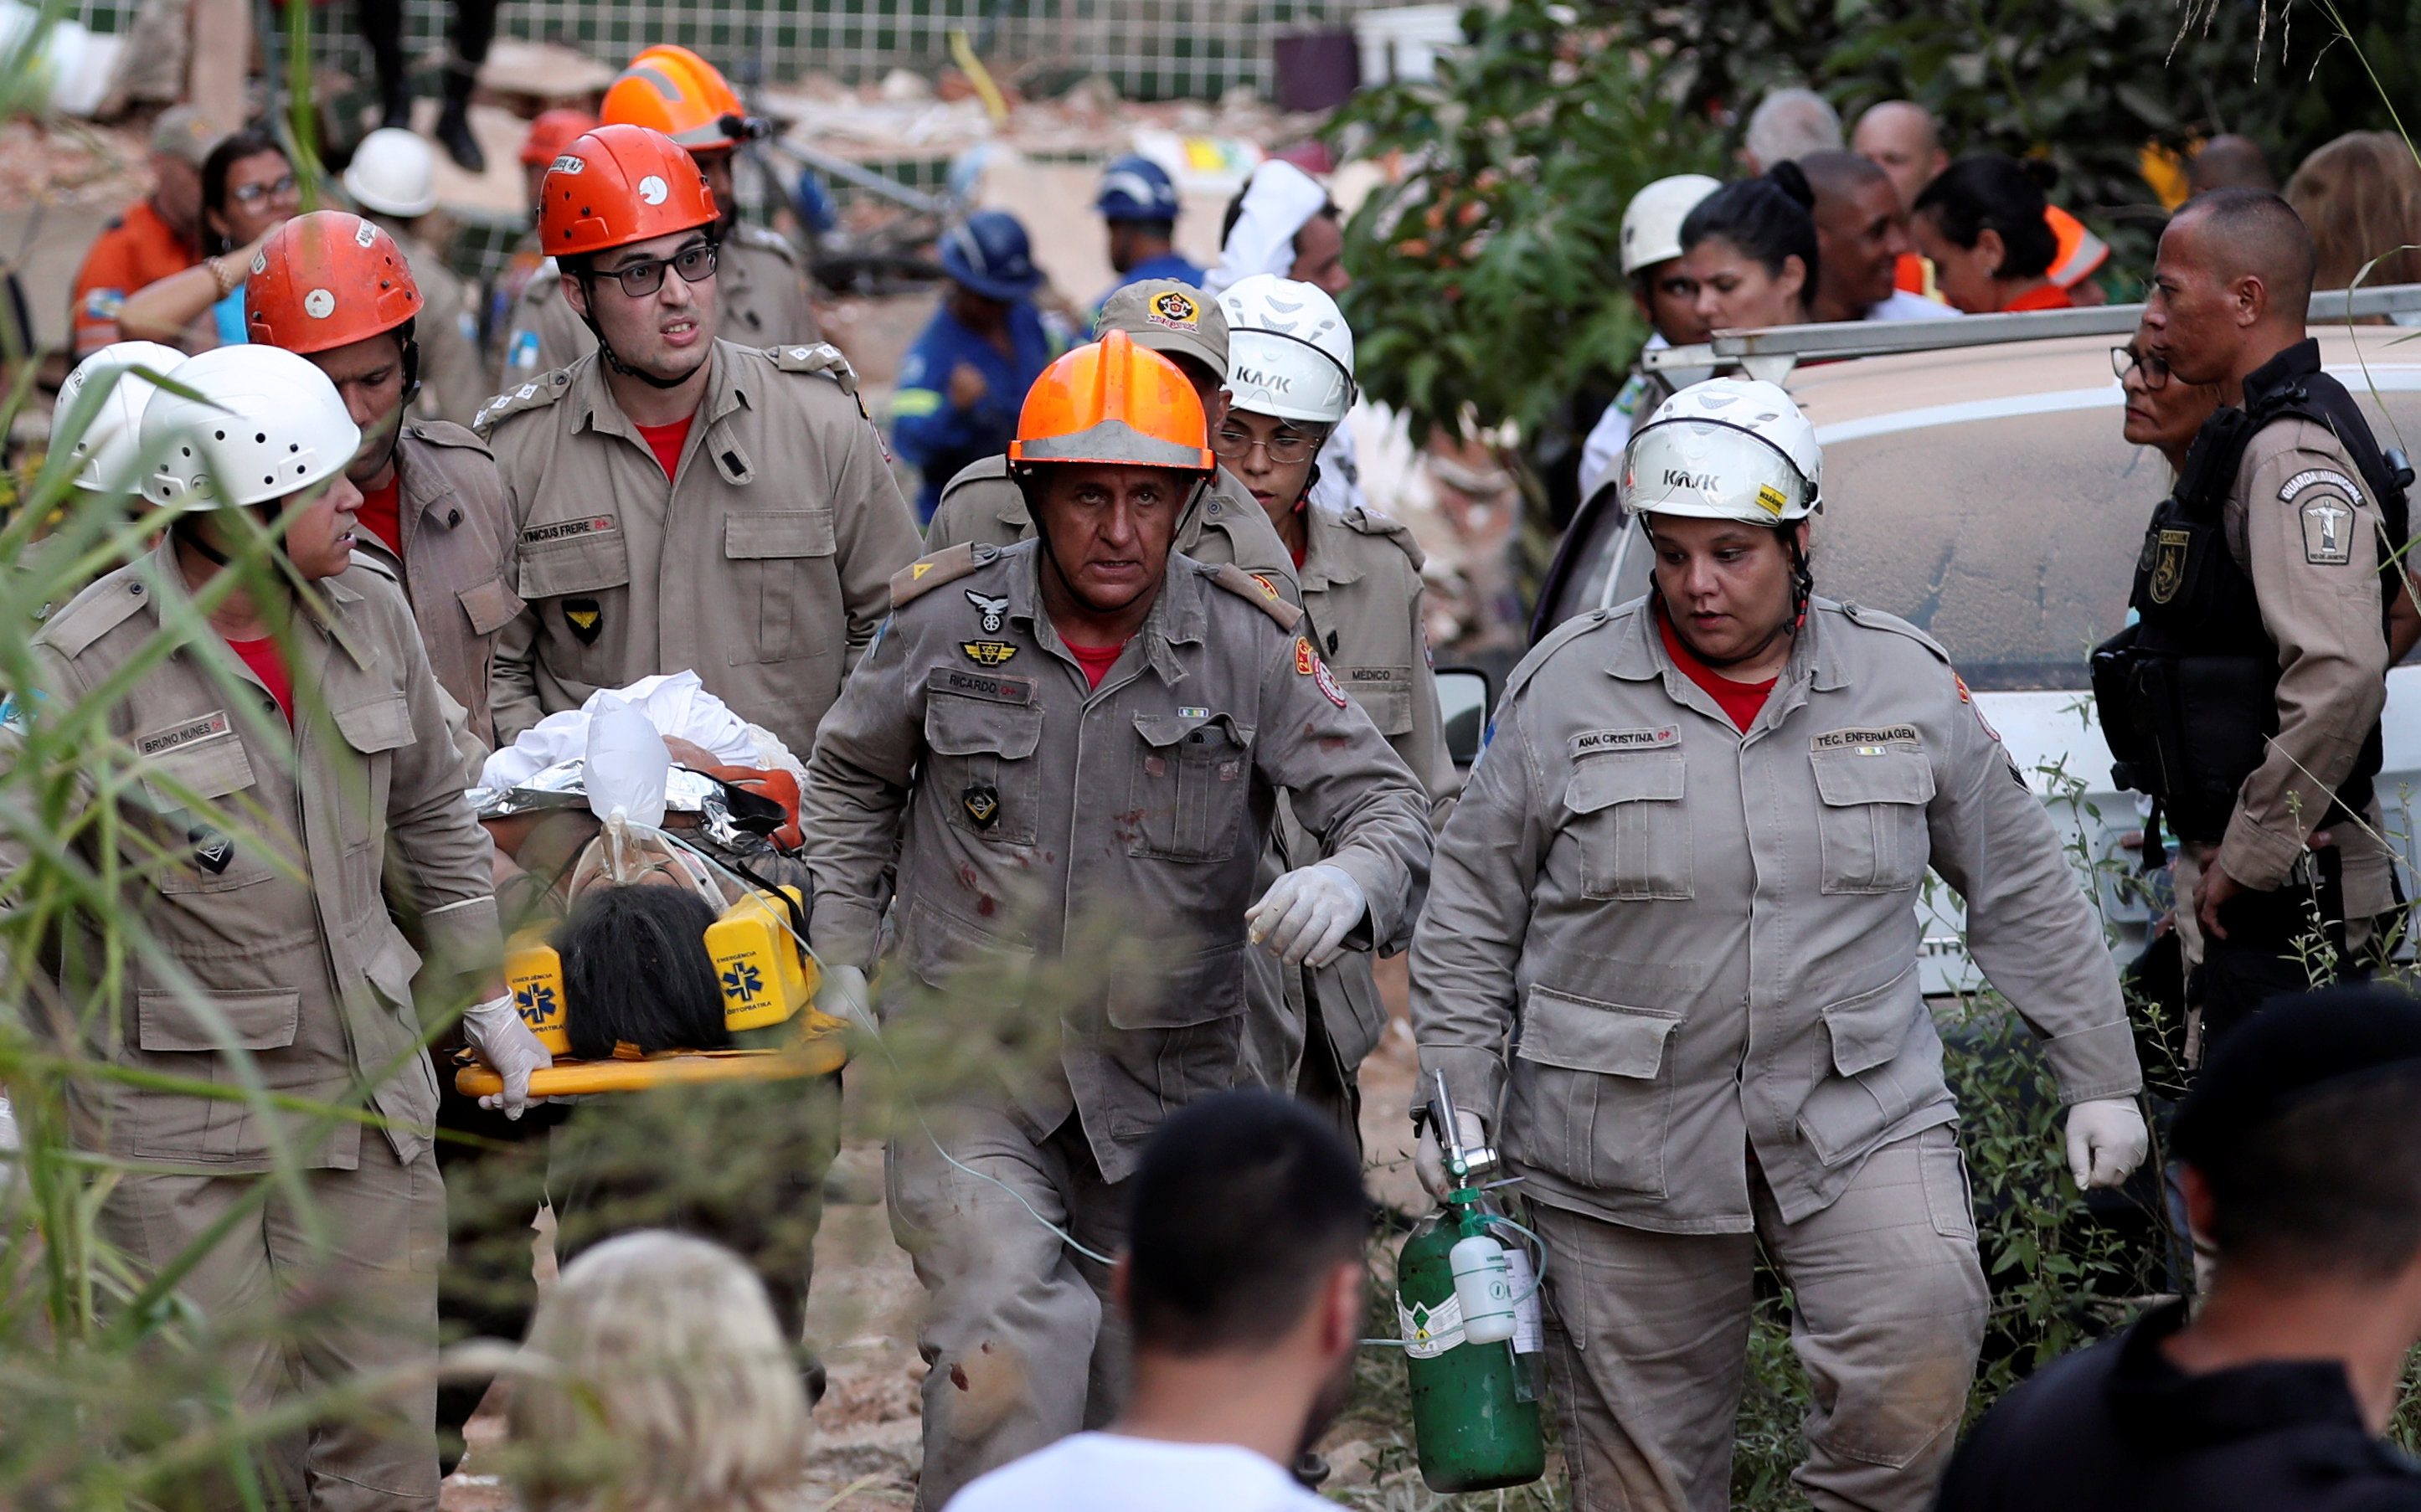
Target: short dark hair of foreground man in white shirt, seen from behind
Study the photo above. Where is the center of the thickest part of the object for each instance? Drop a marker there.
(1243, 1208)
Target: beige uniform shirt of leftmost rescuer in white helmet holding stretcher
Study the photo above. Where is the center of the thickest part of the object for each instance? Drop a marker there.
(282, 913)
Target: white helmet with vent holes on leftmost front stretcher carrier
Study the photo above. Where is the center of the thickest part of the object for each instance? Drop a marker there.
(272, 427)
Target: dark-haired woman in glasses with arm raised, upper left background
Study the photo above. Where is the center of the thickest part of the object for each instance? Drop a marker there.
(248, 192)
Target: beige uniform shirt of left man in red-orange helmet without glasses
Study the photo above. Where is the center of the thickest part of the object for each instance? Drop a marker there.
(459, 558)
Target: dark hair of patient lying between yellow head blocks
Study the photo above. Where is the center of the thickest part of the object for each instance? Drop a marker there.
(638, 971)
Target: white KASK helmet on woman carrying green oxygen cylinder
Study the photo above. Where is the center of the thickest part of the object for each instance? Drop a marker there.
(1730, 449)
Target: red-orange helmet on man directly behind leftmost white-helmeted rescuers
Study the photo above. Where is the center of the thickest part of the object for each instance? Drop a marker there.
(328, 279)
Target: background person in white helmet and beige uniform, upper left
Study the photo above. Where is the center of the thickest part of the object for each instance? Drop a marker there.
(393, 180)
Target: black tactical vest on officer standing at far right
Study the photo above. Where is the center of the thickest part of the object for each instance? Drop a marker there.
(2190, 693)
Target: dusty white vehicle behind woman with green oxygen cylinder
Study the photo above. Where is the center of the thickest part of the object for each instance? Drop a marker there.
(1986, 495)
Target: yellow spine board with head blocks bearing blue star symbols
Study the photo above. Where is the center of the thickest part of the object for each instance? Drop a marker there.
(766, 976)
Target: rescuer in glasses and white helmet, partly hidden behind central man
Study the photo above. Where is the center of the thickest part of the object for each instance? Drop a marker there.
(1292, 374)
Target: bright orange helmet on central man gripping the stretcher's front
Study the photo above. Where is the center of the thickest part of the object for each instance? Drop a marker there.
(1112, 403)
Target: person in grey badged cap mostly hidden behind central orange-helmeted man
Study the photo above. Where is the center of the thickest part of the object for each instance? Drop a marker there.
(1221, 524)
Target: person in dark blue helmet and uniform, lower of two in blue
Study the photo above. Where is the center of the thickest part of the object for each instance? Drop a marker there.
(974, 359)
